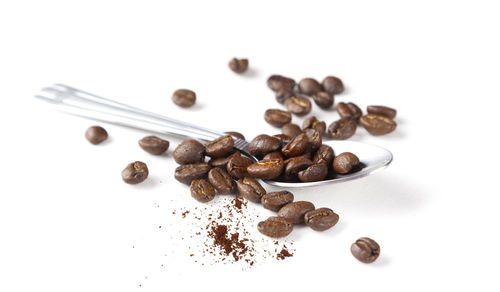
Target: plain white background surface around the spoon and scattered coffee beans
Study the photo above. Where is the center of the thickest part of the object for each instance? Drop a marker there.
(68, 222)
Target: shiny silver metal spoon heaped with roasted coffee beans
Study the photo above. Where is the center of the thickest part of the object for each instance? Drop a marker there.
(84, 104)
